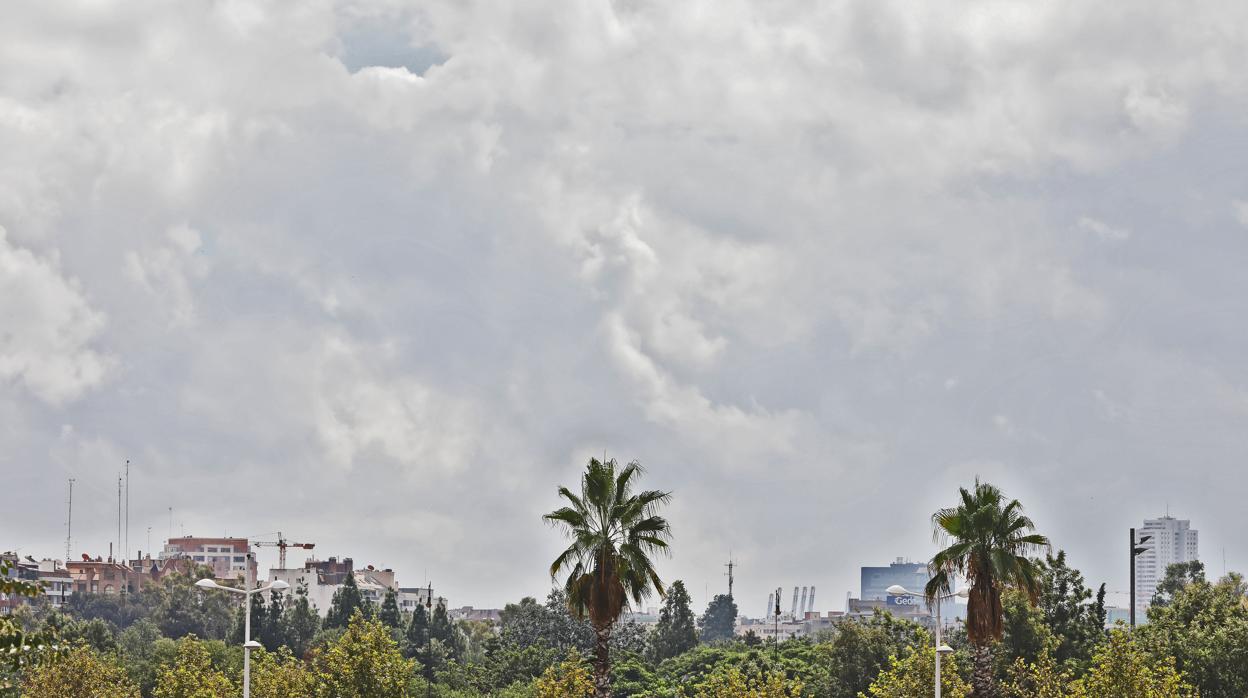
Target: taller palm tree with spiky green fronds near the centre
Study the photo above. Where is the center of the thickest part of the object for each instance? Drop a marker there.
(615, 534)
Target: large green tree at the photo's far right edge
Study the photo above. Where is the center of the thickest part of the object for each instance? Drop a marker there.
(1205, 629)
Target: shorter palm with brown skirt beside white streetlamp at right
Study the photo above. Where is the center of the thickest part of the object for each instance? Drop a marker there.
(990, 543)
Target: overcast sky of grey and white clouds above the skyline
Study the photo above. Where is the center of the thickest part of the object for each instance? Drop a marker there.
(384, 275)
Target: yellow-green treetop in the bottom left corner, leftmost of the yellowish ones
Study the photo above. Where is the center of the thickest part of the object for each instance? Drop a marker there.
(82, 672)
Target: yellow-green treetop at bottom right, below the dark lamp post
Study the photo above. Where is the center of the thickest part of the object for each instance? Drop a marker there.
(1124, 670)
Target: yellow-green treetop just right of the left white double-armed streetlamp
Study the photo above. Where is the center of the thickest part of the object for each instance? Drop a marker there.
(364, 664)
